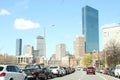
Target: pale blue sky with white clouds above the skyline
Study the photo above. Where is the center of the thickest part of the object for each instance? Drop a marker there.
(62, 19)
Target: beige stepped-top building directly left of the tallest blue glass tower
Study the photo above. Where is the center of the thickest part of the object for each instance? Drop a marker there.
(79, 46)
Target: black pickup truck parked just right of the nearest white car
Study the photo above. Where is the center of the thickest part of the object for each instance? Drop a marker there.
(35, 72)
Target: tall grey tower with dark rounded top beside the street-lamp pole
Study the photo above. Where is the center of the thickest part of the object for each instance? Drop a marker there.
(41, 46)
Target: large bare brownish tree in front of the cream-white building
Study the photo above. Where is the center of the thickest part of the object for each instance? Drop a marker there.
(112, 53)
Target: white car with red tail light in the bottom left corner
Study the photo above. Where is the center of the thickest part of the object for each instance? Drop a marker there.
(11, 72)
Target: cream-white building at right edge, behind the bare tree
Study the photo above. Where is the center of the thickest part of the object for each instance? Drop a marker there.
(111, 32)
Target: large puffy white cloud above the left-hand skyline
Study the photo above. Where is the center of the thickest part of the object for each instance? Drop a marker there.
(23, 24)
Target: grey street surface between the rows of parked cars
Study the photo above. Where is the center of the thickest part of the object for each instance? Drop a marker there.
(81, 75)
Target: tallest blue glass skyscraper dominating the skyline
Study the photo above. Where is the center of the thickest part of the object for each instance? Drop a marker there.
(90, 28)
